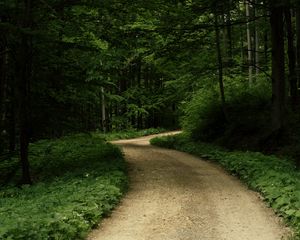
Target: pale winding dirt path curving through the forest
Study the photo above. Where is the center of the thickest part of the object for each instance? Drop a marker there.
(176, 196)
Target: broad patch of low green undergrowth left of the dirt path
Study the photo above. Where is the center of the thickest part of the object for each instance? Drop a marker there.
(77, 181)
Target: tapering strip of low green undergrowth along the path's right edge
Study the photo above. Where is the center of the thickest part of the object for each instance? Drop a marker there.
(276, 179)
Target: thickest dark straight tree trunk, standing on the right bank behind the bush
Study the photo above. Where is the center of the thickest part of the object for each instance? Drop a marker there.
(278, 80)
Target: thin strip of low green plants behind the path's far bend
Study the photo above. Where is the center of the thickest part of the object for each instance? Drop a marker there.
(127, 134)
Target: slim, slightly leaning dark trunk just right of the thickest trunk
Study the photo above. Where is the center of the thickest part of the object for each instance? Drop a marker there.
(291, 56)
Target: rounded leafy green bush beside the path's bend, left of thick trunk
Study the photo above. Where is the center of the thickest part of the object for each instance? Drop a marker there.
(247, 109)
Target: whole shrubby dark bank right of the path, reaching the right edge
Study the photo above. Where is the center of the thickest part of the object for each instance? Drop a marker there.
(245, 124)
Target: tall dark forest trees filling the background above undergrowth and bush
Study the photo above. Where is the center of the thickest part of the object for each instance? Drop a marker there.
(69, 66)
